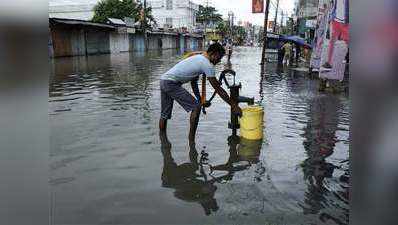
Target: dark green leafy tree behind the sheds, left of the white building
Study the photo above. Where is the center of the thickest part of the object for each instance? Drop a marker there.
(120, 9)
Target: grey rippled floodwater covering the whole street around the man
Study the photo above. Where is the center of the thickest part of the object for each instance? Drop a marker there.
(108, 166)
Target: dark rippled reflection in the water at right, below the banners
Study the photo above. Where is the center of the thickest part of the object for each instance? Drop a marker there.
(324, 194)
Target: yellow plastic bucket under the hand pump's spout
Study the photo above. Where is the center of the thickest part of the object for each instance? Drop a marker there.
(251, 122)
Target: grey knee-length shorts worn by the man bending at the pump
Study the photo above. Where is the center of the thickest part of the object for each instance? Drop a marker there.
(172, 90)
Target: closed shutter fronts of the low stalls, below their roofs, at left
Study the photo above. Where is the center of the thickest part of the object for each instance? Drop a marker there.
(86, 40)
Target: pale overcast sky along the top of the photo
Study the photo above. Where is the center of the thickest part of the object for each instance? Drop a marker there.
(241, 8)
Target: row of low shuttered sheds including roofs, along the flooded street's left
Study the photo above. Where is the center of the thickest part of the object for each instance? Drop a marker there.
(69, 37)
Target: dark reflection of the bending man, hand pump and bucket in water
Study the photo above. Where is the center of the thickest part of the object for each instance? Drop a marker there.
(192, 183)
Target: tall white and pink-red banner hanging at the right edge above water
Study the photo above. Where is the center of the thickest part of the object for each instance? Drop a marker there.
(331, 39)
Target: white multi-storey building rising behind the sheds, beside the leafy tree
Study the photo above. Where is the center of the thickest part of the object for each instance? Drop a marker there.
(174, 13)
